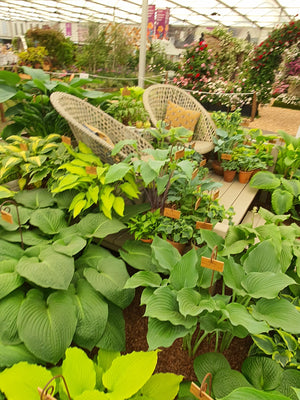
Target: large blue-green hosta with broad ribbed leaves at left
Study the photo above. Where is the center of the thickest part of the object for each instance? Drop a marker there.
(62, 288)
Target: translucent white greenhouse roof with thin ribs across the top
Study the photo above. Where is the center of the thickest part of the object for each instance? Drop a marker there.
(230, 13)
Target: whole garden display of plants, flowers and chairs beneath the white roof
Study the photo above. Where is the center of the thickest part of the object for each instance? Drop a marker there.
(136, 259)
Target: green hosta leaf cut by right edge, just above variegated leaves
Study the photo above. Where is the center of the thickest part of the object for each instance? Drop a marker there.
(278, 313)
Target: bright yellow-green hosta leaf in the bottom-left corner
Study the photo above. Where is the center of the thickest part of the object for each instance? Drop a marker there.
(22, 380)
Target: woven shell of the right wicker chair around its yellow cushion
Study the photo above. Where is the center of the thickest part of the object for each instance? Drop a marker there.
(155, 100)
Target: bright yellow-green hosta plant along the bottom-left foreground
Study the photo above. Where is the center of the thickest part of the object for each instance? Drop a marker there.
(109, 376)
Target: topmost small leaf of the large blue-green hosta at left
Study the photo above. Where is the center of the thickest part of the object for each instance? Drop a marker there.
(35, 198)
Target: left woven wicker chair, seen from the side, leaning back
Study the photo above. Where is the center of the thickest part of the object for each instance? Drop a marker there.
(82, 116)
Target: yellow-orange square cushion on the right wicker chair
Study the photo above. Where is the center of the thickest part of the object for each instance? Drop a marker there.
(178, 116)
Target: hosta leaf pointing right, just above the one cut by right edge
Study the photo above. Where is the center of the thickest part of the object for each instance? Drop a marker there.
(266, 284)
